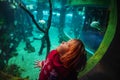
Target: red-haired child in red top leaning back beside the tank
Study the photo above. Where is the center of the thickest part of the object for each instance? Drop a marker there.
(64, 62)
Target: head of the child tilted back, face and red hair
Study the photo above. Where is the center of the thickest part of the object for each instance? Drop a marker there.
(72, 54)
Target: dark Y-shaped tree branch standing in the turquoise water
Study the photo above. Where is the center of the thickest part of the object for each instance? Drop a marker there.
(46, 32)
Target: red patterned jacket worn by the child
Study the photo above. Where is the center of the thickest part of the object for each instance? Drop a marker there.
(54, 70)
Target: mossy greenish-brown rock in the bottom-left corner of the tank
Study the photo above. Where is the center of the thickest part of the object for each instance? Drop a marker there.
(12, 72)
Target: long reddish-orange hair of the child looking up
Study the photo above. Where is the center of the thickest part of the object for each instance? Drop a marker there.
(75, 58)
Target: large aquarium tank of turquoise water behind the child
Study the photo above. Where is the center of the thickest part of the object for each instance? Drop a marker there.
(29, 29)
